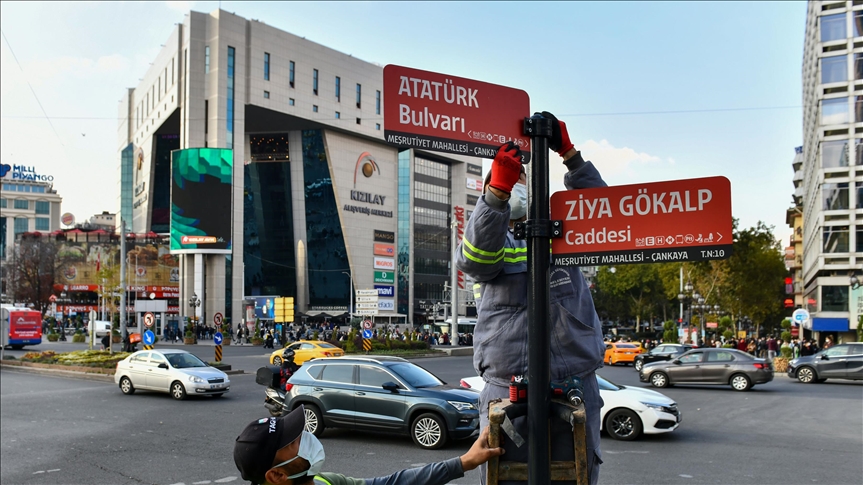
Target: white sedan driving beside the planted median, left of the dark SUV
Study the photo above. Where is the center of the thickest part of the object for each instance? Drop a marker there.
(173, 371)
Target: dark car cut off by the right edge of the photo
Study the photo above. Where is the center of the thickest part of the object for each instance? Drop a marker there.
(843, 361)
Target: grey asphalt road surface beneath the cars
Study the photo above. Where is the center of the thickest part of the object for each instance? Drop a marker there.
(55, 430)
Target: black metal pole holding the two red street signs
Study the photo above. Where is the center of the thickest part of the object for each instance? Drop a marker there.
(537, 232)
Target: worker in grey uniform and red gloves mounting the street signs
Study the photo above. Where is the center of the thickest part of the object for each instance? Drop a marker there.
(491, 255)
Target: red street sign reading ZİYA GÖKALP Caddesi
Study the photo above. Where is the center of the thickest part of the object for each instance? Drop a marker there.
(679, 220)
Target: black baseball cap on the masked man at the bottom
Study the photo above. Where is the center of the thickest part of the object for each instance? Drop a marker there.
(255, 449)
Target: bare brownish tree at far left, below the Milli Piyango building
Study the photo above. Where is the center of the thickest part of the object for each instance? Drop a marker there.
(34, 266)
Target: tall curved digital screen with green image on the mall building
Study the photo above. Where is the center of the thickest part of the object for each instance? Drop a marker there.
(201, 200)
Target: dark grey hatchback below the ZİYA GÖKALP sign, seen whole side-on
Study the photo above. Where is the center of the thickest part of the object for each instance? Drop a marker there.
(709, 366)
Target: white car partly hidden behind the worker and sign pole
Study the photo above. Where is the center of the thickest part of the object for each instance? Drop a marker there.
(627, 411)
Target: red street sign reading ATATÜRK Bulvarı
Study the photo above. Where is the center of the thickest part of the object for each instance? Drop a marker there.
(443, 113)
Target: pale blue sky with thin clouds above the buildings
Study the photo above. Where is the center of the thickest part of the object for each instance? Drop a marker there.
(649, 91)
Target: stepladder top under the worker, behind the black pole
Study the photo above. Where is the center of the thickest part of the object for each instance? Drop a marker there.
(575, 470)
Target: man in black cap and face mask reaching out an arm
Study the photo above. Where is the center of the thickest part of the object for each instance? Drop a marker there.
(278, 451)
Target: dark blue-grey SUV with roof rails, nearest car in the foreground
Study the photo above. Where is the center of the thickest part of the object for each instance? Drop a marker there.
(383, 394)
